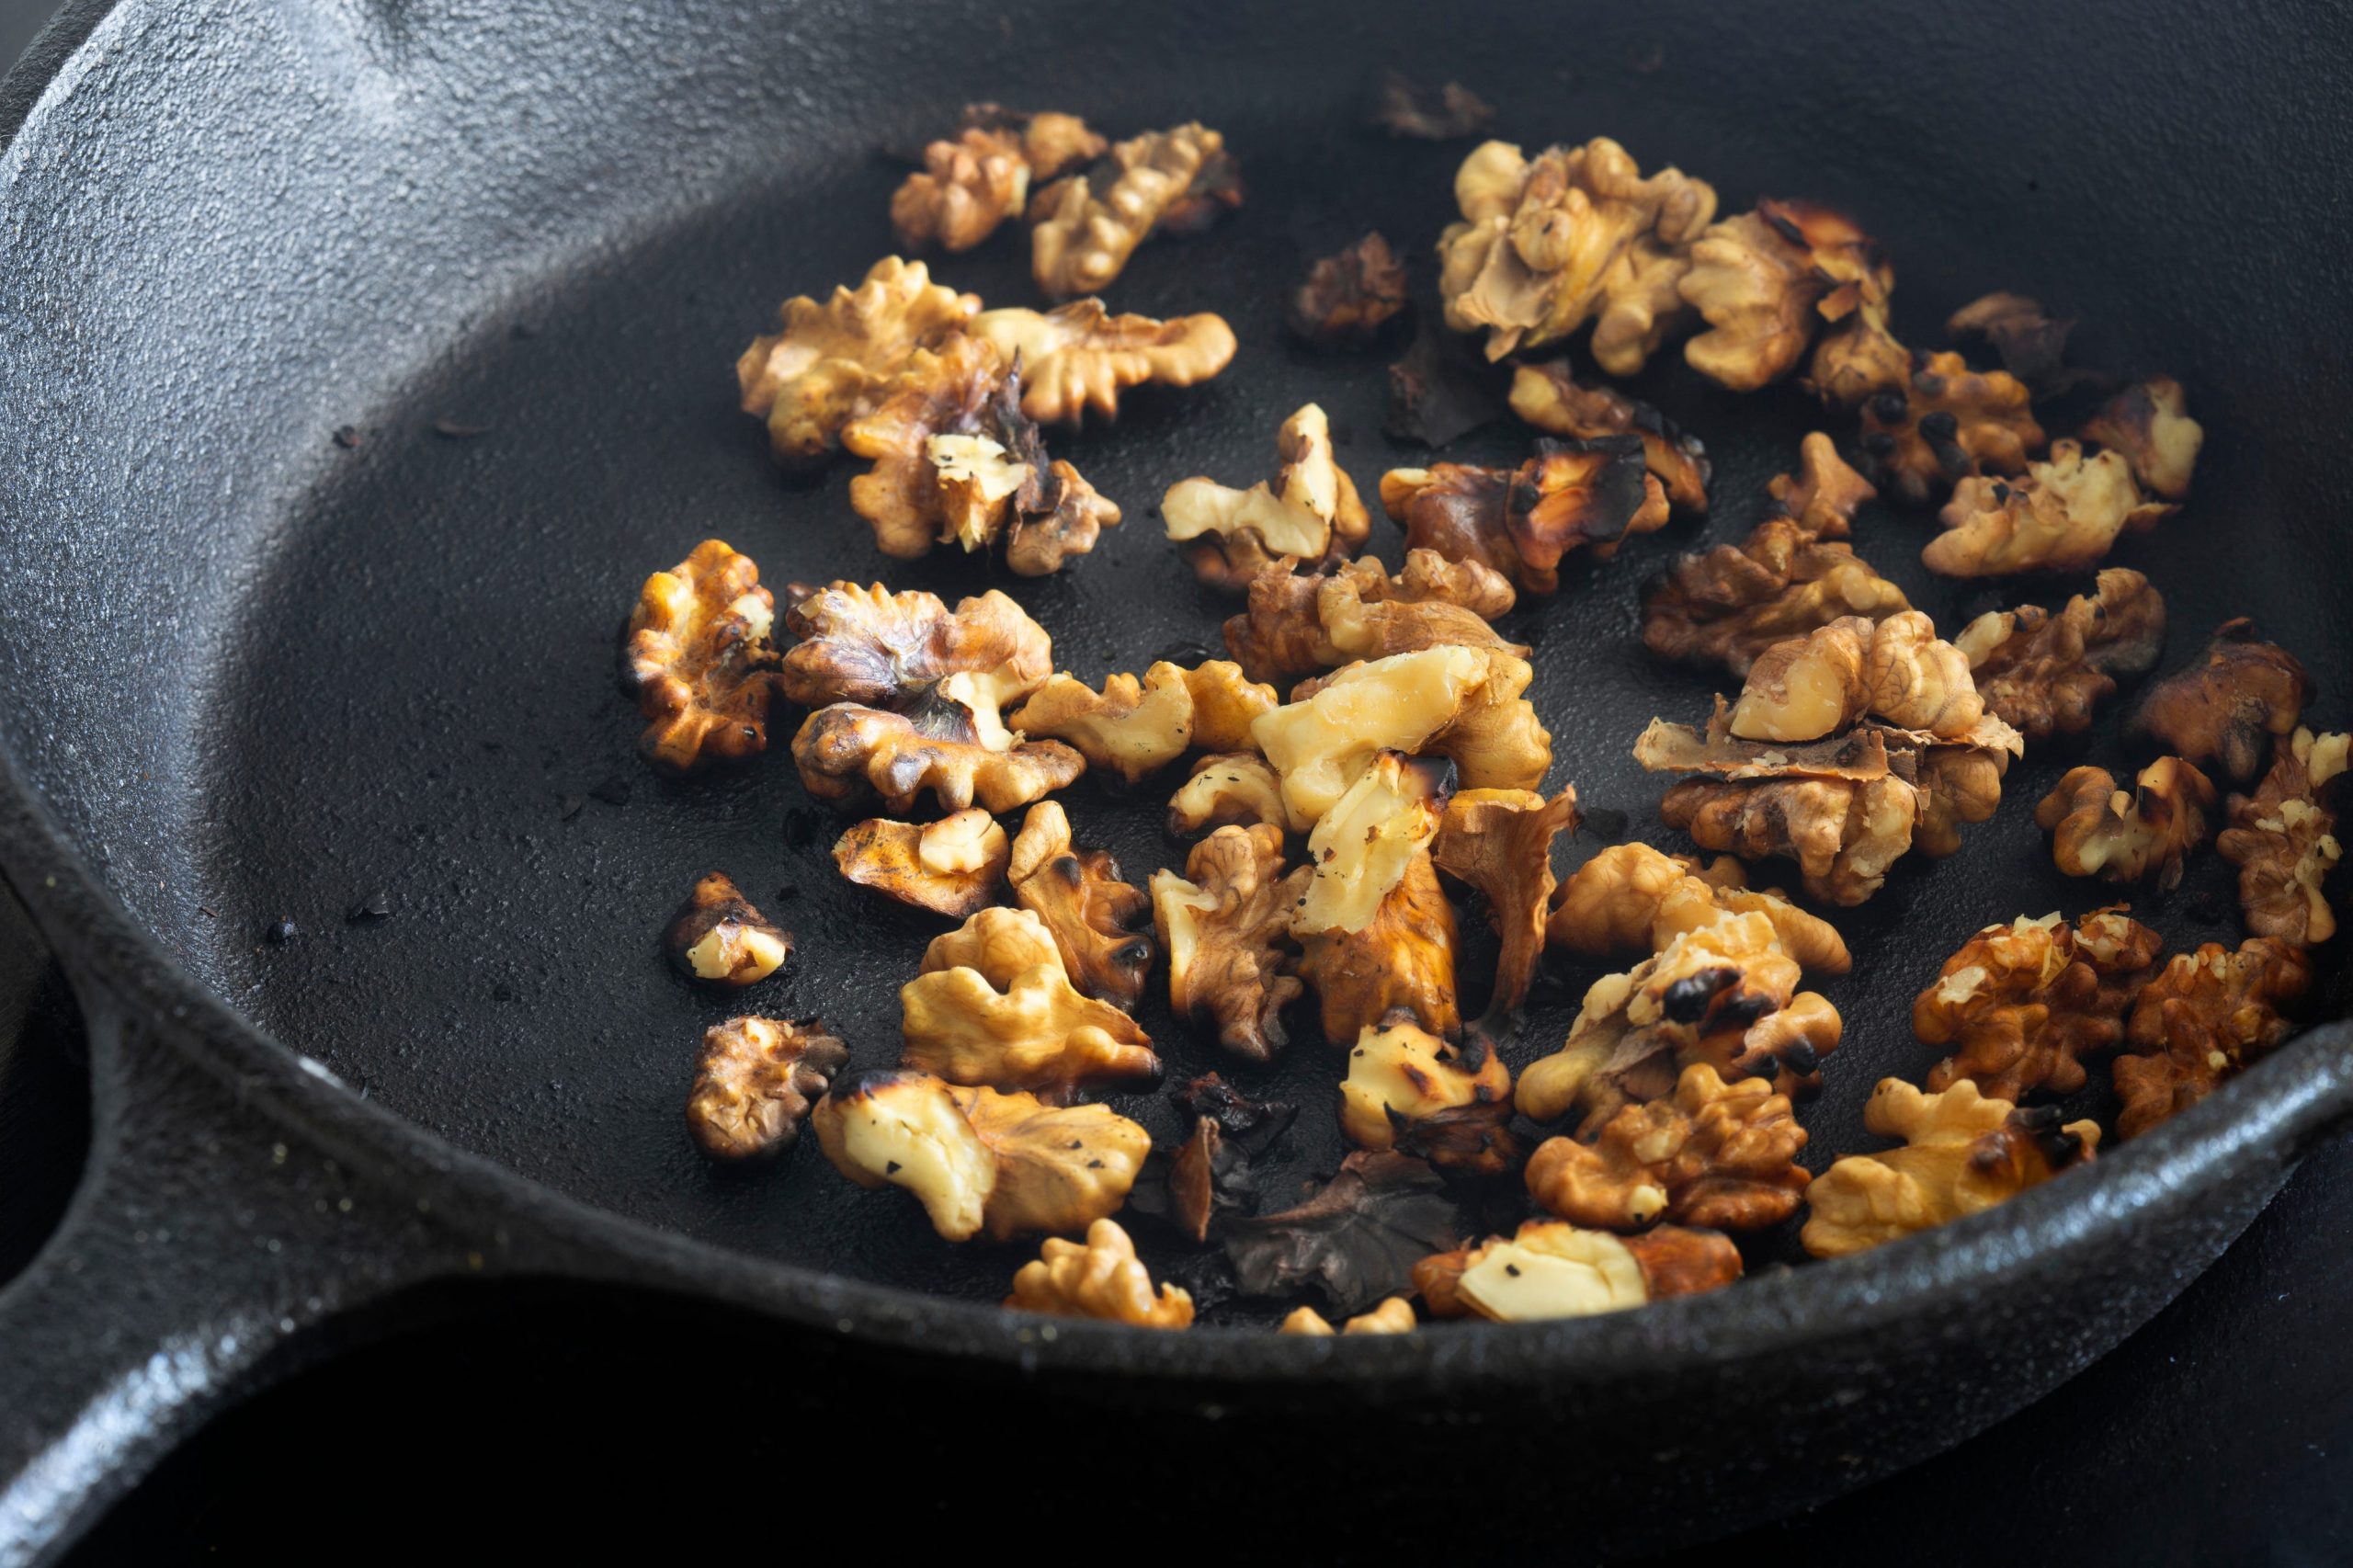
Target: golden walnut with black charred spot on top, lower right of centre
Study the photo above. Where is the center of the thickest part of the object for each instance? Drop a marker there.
(1724, 992)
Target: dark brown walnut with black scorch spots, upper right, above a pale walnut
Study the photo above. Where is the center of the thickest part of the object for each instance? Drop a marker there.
(1947, 423)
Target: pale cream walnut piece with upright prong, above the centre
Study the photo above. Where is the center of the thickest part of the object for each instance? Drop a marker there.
(1309, 512)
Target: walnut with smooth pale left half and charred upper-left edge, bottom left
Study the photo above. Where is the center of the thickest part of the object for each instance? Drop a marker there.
(978, 1160)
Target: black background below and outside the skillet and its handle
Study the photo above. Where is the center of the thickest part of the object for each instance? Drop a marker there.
(554, 1421)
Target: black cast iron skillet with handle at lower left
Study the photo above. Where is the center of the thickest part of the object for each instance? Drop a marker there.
(255, 672)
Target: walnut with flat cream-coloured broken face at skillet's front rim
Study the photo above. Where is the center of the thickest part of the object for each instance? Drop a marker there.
(1557, 1270)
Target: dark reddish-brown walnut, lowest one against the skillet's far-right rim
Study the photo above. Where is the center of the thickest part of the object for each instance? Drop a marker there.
(2204, 1018)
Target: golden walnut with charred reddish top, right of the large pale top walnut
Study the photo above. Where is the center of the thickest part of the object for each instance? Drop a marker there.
(1766, 279)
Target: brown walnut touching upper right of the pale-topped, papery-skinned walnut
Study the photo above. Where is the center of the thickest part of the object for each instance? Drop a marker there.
(2046, 672)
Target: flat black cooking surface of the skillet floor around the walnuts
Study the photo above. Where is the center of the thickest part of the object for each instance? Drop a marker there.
(425, 693)
